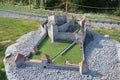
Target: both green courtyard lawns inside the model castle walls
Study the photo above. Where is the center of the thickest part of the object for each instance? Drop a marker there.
(46, 47)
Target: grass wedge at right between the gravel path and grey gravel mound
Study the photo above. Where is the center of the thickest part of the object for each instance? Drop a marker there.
(114, 33)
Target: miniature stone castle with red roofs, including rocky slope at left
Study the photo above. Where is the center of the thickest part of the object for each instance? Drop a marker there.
(57, 27)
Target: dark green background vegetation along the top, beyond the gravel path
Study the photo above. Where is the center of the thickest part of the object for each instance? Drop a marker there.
(107, 6)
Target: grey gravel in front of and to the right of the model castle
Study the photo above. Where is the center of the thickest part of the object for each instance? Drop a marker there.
(101, 56)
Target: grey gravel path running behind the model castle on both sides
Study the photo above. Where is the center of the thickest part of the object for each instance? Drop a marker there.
(15, 14)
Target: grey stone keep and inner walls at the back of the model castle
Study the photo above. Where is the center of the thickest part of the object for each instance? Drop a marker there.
(61, 29)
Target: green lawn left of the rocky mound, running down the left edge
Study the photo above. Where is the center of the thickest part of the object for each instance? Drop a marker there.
(12, 29)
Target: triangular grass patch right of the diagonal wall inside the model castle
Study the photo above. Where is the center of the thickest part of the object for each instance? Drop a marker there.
(74, 55)
